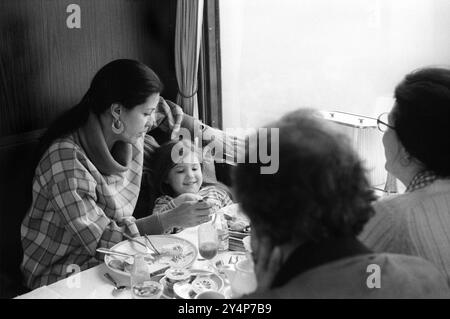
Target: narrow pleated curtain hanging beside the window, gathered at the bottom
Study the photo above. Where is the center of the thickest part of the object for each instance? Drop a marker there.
(188, 34)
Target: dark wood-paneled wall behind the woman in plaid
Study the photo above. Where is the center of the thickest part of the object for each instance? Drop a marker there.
(45, 68)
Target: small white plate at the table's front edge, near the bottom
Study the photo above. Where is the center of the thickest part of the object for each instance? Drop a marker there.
(185, 290)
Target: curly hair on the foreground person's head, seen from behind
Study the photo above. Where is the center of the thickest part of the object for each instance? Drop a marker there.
(320, 190)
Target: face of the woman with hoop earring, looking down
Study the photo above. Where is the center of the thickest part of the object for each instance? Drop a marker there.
(138, 120)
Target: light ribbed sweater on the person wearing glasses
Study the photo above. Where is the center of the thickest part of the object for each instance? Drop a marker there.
(416, 223)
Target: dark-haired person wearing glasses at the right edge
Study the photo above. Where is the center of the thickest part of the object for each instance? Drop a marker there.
(417, 147)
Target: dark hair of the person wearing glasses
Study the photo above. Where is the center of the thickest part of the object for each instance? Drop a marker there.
(421, 117)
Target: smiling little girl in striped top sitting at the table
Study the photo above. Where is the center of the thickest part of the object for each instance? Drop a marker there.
(178, 178)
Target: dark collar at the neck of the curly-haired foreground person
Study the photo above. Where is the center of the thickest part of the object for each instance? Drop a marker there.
(312, 254)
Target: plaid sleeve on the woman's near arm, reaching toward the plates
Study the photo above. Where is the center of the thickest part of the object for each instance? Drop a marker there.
(76, 201)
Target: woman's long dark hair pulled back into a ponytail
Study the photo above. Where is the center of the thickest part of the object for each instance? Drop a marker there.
(123, 81)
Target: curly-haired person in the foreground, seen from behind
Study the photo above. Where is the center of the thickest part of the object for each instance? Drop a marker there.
(306, 217)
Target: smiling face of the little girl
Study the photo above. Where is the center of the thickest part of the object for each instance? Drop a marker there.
(186, 176)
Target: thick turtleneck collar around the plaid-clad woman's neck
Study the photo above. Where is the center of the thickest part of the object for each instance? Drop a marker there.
(93, 142)
